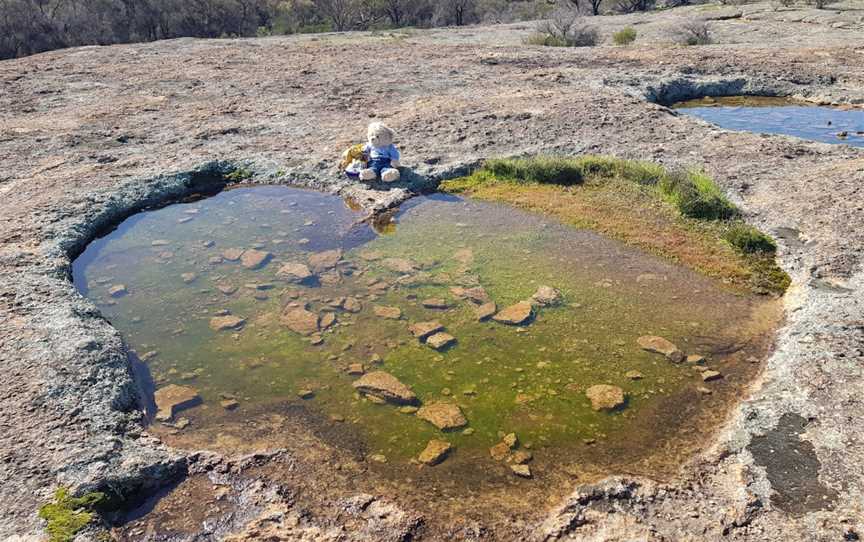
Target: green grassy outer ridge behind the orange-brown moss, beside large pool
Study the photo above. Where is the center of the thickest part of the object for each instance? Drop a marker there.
(691, 192)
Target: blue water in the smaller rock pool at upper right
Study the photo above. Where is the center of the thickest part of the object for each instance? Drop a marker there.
(780, 116)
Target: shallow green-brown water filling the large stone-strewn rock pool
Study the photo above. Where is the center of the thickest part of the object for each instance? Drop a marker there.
(528, 379)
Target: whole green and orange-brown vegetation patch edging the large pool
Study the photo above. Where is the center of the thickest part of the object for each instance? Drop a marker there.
(681, 215)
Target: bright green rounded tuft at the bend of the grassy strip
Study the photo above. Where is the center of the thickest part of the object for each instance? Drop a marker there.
(696, 196)
